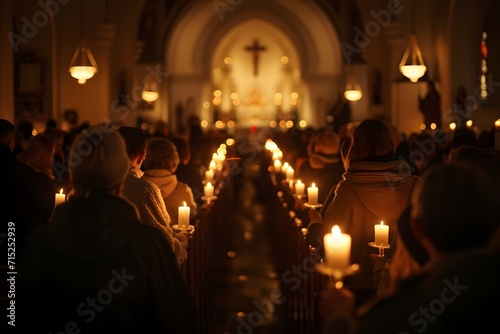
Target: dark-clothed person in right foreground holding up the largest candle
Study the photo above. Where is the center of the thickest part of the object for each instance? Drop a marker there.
(451, 234)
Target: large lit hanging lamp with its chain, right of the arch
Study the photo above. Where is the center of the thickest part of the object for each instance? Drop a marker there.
(412, 64)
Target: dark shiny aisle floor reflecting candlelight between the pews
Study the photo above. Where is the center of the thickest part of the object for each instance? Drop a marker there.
(242, 282)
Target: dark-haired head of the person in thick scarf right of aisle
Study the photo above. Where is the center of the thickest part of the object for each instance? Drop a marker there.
(371, 140)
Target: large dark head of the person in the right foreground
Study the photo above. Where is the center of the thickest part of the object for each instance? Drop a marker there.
(454, 209)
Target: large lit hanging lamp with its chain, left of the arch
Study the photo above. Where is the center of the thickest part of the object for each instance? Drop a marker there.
(83, 65)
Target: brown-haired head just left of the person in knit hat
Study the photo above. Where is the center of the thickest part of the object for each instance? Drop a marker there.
(39, 154)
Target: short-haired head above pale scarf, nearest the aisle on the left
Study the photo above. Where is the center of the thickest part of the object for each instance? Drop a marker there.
(162, 154)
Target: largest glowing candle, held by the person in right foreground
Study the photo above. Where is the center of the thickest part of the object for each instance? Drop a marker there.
(337, 249)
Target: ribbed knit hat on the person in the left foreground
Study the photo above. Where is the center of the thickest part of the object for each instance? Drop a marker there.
(98, 159)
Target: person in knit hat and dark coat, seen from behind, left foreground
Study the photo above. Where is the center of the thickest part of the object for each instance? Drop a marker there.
(95, 268)
